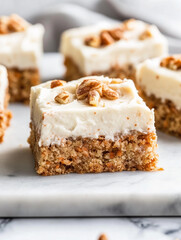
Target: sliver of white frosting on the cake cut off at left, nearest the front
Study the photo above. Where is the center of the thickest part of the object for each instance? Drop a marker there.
(3, 85)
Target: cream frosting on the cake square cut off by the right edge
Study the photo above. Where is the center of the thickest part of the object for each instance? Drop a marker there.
(160, 81)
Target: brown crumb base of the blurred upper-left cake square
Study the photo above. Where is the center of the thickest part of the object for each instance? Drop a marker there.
(20, 83)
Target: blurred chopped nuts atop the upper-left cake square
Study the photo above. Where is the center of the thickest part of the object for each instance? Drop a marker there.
(13, 23)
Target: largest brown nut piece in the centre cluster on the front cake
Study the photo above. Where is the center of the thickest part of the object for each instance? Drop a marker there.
(87, 85)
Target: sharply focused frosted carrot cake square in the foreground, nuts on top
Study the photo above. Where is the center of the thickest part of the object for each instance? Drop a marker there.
(94, 124)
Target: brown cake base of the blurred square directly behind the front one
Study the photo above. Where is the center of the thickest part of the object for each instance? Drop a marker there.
(73, 72)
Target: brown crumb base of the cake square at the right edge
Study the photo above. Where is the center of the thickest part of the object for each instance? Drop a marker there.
(167, 116)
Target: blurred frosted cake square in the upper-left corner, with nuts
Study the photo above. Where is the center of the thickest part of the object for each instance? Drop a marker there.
(20, 53)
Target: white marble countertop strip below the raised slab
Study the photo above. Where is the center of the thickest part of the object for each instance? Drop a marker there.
(90, 229)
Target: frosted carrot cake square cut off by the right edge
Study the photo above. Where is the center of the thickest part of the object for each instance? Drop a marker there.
(159, 81)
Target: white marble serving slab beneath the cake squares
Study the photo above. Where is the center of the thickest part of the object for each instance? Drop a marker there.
(24, 193)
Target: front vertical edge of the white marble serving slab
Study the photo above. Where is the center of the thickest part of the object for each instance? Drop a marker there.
(89, 205)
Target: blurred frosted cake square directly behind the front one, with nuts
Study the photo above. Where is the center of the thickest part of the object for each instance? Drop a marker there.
(111, 49)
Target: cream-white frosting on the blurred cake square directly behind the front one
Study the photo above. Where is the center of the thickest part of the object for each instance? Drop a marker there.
(121, 53)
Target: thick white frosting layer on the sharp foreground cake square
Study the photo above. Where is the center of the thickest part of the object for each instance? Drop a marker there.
(55, 121)
